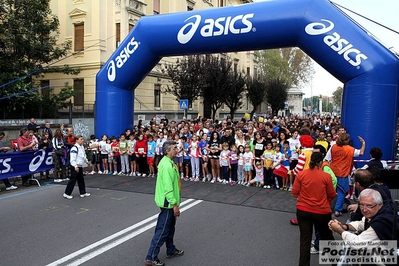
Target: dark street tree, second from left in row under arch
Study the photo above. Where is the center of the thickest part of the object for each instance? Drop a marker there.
(216, 76)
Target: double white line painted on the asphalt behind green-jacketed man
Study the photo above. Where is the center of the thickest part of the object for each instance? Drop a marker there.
(116, 235)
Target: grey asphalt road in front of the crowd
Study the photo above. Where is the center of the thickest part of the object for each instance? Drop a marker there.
(219, 225)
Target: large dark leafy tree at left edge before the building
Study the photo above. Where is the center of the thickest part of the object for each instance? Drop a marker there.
(28, 46)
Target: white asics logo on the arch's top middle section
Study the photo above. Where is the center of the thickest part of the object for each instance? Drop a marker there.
(215, 27)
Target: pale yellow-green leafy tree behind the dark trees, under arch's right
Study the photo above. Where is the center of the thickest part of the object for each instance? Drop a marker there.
(290, 65)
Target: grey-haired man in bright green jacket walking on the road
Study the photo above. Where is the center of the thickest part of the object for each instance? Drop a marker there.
(167, 197)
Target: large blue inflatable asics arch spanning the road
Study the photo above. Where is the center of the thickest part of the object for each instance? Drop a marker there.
(368, 70)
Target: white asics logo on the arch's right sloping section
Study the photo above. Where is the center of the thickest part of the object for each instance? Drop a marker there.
(338, 44)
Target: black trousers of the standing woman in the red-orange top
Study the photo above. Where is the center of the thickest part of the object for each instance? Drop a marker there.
(306, 222)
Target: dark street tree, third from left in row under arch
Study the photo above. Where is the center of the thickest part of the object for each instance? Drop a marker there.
(233, 98)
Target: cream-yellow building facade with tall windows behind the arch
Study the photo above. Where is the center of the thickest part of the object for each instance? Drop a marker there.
(97, 27)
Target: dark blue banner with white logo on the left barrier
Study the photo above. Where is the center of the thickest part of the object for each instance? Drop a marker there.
(25, 163)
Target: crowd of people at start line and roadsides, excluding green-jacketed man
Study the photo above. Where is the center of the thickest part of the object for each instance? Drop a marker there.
(272, 153)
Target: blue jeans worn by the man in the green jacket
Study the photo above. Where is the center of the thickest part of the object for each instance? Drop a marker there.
(164, 232)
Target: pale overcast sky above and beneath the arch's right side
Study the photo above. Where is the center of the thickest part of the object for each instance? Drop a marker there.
(384, 12)
